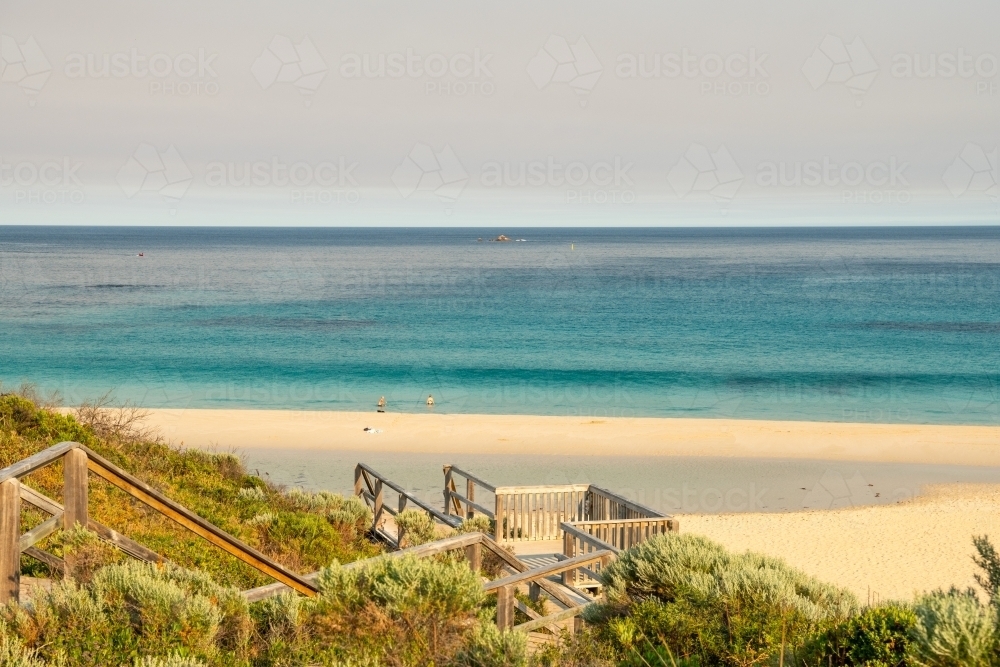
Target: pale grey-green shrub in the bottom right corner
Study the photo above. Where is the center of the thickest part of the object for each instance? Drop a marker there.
(953, 628)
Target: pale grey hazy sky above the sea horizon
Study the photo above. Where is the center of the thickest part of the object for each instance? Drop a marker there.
(499, 114)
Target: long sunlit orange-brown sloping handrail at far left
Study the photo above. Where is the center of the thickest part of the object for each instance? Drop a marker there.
(199, 526)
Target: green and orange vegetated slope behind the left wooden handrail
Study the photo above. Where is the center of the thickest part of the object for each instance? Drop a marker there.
(300, 537)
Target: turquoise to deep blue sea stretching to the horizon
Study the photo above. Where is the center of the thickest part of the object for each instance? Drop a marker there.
(859, 324)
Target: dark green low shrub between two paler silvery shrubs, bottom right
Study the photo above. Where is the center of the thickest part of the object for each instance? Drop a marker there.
(877, 637)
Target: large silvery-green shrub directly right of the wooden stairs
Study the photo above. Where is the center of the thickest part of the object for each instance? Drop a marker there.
(691, 596)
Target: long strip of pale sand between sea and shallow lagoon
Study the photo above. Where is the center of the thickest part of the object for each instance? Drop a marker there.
(527, 434)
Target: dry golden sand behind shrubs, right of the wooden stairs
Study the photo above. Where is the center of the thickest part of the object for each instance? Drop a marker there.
(891, 551)
